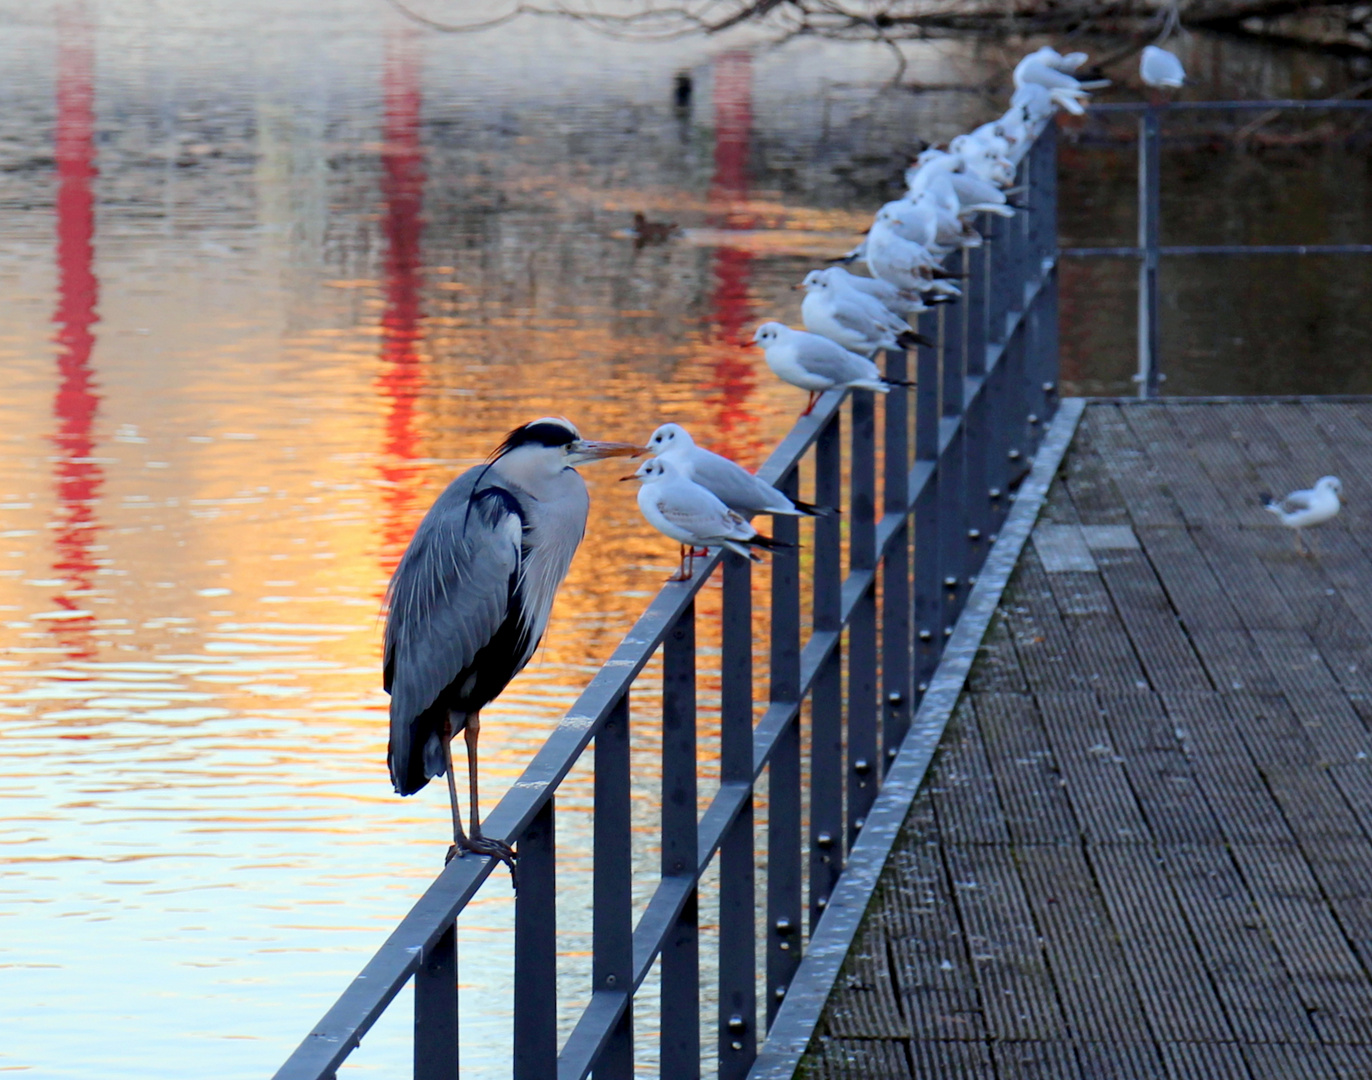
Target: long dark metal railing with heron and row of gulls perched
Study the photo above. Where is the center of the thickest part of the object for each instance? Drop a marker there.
(916, 545)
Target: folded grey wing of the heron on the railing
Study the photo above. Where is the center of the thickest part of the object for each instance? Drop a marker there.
(452, 592)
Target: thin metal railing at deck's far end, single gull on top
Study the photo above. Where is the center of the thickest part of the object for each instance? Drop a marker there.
(1150, 249)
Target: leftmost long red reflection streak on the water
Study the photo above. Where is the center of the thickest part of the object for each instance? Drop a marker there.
(78, 480)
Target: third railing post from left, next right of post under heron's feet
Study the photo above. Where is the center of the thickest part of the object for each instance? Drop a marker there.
(613, 937)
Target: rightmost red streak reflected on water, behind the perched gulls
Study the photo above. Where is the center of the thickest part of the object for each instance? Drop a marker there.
(735, 370)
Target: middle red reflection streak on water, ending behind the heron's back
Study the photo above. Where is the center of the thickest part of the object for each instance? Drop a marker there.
(401, 379)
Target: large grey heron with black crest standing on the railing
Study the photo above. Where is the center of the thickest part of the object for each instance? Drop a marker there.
(470, 602)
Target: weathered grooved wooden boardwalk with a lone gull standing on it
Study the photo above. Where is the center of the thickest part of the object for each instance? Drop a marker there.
(1145, 849)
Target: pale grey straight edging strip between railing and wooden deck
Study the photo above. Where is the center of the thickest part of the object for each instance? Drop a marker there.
(809, 993)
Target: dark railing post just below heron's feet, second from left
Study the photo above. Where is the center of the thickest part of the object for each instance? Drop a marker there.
(536, 950)
